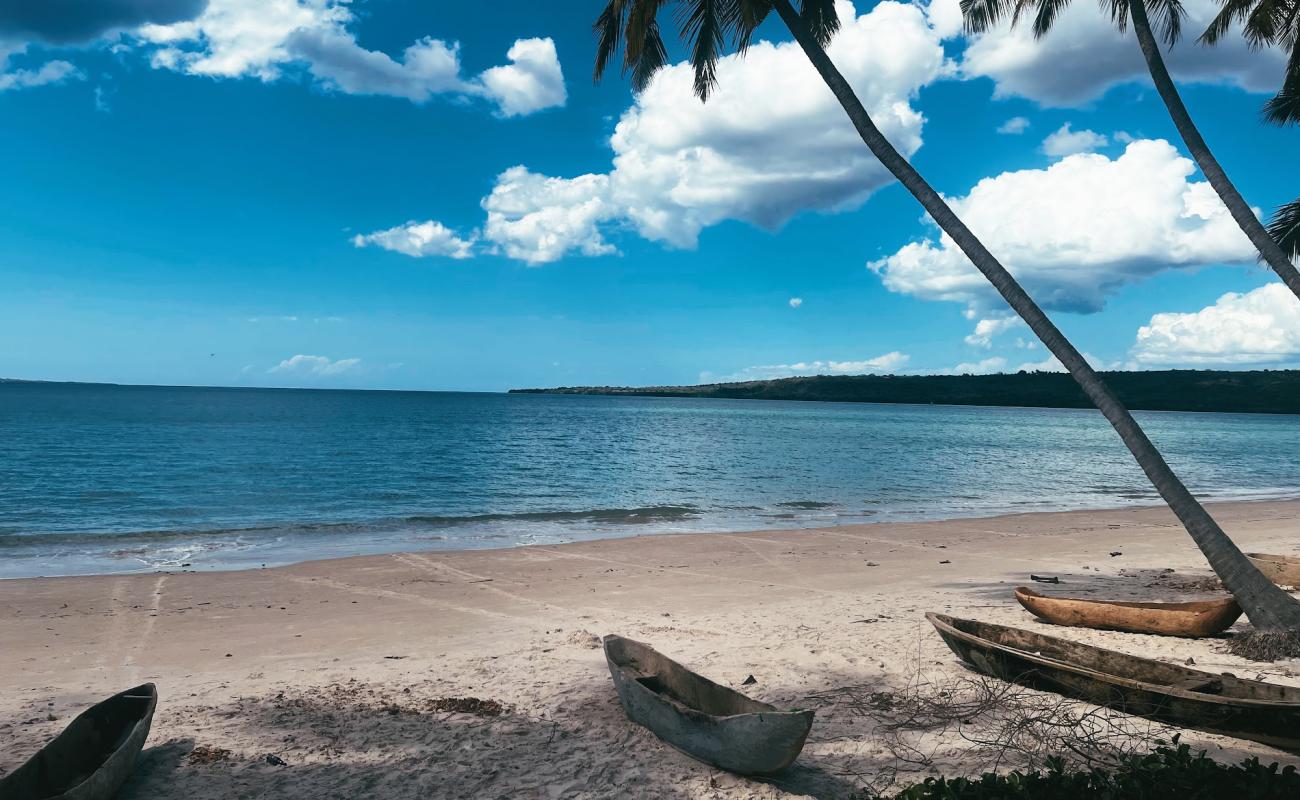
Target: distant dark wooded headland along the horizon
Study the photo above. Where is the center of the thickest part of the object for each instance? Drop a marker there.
(1206, 391)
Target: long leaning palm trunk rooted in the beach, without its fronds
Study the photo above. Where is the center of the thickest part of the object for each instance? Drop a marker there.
(1268, 607)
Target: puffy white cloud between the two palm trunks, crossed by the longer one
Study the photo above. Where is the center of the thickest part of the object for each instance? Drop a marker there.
(1063, 235)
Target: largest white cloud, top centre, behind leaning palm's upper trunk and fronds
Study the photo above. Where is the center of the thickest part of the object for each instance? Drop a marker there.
(682, 166)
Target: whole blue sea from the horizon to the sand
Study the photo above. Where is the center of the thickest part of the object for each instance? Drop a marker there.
(110, 479)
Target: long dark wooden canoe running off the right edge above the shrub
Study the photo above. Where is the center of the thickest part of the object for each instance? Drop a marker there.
(1173, 694)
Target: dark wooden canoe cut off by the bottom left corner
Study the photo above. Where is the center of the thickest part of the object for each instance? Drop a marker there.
(93, 756)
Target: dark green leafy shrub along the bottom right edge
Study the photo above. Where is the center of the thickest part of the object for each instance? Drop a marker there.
(1168, 773)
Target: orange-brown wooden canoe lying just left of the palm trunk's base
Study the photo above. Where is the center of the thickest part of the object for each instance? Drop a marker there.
(1194, 620)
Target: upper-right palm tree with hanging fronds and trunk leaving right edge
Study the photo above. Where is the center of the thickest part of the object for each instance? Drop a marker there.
(982, 15)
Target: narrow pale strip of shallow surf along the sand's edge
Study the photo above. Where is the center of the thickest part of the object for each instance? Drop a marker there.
(237, 557)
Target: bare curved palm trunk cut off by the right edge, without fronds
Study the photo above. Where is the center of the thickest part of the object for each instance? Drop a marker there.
(1246, 219)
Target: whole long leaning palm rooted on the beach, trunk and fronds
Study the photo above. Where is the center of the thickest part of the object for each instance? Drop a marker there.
(708, 25)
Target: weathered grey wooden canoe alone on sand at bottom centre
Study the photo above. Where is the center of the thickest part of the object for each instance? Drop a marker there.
(701, 719)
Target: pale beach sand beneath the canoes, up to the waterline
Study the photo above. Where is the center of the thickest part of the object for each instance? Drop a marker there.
(337, 667)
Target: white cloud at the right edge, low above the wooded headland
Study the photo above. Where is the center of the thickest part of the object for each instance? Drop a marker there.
(1256, 327)
